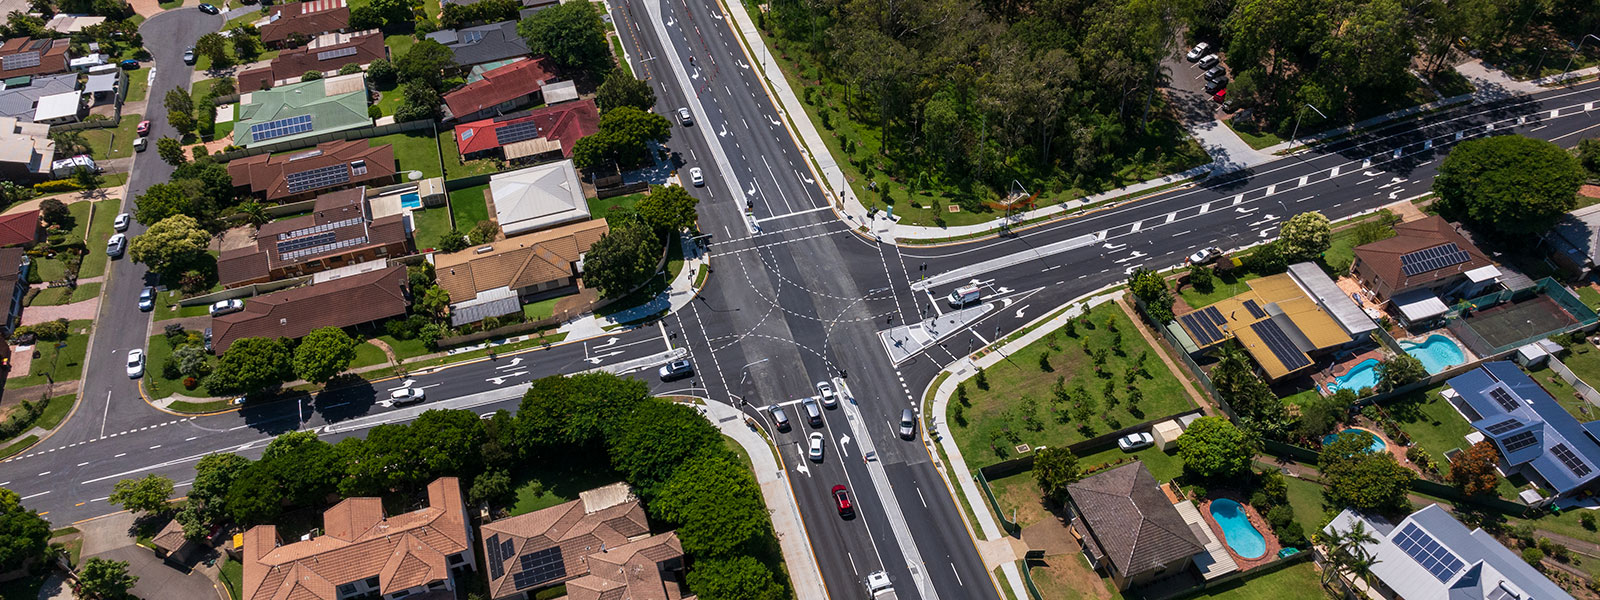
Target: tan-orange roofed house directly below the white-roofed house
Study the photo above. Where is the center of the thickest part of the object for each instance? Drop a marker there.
(497, 279)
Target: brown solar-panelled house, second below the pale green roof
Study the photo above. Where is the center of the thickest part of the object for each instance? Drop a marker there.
(340, 231)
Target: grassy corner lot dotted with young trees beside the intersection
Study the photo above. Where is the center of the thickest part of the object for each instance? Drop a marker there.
(983, 430)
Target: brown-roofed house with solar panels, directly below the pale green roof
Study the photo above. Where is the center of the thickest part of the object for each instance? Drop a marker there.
(303, 175)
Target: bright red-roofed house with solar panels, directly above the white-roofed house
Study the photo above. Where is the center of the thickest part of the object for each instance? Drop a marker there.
(530, 137)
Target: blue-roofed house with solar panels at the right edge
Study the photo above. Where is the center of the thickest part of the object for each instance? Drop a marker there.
(1535, 434)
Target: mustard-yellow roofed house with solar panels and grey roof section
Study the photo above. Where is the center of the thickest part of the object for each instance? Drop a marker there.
(1284, 321)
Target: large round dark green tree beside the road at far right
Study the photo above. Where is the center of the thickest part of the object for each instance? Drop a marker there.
(1508, 185)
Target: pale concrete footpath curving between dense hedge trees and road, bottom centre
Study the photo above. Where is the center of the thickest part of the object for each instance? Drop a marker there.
(799, 558)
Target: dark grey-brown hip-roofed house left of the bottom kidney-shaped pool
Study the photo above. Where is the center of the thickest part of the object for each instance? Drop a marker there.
(1129, 527)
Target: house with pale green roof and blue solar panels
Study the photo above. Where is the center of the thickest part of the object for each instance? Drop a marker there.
(302, 111)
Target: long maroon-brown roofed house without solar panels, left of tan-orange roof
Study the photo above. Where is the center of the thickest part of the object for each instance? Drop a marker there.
(345, 302)
